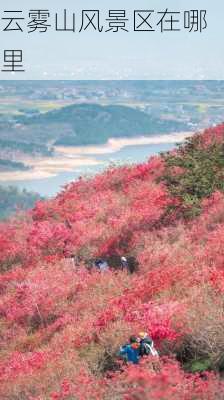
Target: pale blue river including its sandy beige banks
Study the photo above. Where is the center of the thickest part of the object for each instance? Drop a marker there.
(103, 157)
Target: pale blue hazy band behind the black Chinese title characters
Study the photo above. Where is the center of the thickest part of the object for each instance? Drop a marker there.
(124, 55)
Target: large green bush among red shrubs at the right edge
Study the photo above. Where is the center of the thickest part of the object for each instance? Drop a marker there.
(201, 173)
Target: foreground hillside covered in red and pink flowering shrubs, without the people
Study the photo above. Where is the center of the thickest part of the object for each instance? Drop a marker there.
(61, 323)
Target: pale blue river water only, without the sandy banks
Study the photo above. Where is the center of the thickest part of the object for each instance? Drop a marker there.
(127, 155)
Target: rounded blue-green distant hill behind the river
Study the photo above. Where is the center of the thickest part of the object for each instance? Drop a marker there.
(93, 124)
